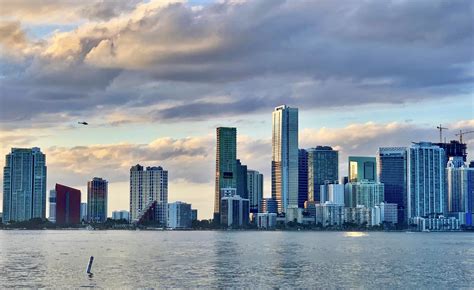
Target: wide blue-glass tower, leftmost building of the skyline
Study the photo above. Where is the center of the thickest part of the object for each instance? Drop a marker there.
(24, 185)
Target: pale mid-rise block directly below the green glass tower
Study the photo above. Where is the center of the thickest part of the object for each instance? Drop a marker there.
(366, 193)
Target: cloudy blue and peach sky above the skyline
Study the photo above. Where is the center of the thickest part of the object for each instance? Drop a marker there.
(155, 78)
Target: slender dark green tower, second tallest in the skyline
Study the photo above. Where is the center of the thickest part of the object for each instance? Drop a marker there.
(226, 164)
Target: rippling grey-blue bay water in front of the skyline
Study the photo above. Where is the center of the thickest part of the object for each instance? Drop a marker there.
(236, 259)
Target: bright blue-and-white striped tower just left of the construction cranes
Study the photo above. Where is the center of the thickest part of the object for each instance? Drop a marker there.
(426, 180)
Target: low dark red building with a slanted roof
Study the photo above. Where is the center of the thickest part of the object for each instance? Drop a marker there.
(68, 205)
